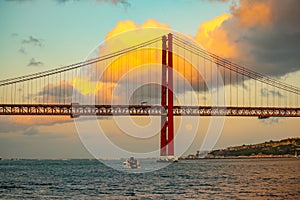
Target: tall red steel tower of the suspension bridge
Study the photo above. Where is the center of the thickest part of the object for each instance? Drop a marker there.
(167, 118)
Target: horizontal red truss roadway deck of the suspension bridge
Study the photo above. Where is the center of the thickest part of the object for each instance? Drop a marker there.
(76, 110)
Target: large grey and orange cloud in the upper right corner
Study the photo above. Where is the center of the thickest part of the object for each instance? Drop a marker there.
(265, 35)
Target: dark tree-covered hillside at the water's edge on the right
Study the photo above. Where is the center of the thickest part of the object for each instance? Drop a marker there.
(284, 148)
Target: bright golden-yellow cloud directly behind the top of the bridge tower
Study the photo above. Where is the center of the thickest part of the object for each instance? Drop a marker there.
(127, 34)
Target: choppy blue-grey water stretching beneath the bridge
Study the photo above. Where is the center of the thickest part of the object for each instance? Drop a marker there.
(199, 179)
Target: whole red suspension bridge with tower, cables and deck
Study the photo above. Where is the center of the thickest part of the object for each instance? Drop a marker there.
(167, 76)
